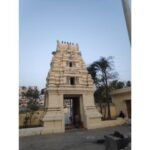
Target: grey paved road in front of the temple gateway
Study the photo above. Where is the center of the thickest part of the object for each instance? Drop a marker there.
(71, 140)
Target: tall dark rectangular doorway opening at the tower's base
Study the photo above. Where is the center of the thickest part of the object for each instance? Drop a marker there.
(72, 111)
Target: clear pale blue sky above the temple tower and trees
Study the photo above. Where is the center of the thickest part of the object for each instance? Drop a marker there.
(98, 26)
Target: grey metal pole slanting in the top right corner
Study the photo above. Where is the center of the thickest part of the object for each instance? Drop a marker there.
(127, 14)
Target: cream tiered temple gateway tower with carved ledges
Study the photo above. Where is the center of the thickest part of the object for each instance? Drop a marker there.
(69, 78)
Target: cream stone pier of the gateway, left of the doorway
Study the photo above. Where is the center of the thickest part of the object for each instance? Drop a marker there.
(54, 117)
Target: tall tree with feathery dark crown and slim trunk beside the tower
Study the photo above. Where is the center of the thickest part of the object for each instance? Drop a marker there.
(103, 73)
